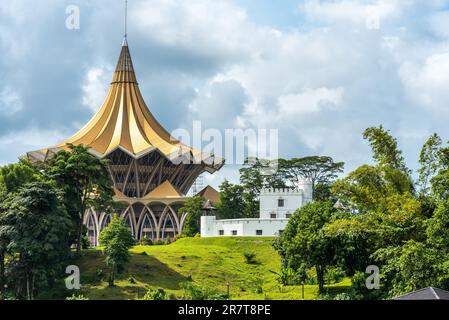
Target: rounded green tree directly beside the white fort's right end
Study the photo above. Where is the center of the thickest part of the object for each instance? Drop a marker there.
(304, 244)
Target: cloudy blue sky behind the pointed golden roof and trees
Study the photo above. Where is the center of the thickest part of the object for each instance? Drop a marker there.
(319, 71)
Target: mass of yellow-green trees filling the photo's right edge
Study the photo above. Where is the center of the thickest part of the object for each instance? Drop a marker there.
(386, 224)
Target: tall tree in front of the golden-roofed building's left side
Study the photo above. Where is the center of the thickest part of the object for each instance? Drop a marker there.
(86, 183)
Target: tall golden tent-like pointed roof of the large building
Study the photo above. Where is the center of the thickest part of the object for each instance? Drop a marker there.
(125, 122)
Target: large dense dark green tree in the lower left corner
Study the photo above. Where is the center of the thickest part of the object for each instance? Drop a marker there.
(37, 229)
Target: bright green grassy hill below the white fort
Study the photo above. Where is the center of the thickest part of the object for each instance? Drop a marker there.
(211, 262)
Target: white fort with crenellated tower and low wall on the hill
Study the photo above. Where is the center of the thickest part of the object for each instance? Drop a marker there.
(276, 208)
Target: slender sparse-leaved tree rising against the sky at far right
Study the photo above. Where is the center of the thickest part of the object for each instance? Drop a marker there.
(429, 160)
